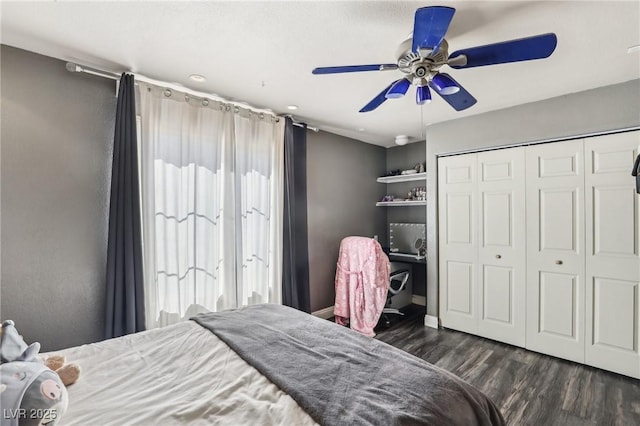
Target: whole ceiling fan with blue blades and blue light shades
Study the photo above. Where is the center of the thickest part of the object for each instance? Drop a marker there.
(422, 55)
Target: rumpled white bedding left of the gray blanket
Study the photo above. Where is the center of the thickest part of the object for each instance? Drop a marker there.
(183, 374)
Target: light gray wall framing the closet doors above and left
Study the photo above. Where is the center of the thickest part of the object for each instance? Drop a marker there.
(606, 108)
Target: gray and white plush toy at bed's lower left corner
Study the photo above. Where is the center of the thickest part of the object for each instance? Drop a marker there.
(30, 393)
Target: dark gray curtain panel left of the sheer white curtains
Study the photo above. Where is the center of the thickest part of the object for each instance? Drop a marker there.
(124, 292)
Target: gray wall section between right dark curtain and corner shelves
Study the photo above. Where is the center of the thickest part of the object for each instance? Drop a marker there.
(341, 196)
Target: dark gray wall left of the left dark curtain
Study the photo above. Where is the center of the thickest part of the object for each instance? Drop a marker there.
(57, 133)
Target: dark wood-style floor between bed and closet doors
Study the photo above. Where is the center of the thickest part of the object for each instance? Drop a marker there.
(528, 387)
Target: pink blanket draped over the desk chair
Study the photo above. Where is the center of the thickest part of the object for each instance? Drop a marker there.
(362, 282)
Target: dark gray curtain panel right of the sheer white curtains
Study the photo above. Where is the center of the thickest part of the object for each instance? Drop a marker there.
(295, 264)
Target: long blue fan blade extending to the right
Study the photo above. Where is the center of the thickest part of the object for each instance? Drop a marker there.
(524, 49)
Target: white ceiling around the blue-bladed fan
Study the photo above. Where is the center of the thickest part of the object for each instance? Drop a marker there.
(262, 53)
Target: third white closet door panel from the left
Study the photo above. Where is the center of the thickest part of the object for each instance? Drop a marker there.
(555, 249)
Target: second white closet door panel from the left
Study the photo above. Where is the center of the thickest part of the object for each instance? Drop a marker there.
(501, 253)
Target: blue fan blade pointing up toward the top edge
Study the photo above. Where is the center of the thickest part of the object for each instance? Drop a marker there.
(429, 27)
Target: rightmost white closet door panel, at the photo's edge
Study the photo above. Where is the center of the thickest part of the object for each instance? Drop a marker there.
(613, 263)
